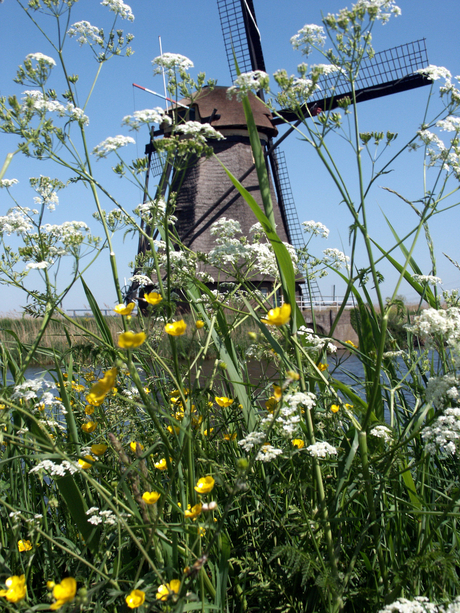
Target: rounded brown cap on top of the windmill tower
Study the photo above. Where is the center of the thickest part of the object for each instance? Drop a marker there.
(215, 108)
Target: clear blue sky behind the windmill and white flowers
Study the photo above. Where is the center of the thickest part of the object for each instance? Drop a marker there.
(193, 29)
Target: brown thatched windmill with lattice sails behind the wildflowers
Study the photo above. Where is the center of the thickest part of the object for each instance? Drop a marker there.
(205, 193)
